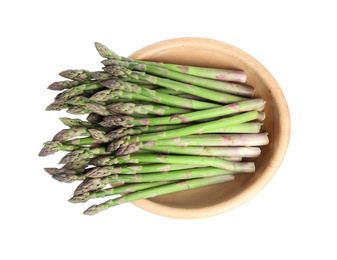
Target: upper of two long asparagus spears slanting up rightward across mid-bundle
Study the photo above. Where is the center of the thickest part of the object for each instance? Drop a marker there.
(242, 106)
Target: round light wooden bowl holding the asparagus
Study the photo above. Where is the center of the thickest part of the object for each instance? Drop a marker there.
(217, 199)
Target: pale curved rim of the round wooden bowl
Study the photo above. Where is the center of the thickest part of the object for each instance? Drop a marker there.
(278, 155)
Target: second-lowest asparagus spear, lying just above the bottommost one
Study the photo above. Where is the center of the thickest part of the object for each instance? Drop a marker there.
(129, 188)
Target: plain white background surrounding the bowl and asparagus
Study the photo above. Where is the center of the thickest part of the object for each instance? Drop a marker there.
(294, 217)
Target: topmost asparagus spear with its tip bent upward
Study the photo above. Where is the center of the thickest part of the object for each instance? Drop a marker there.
(212, 73)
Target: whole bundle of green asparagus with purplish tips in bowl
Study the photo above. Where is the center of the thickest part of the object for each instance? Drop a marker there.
(152, 129)
